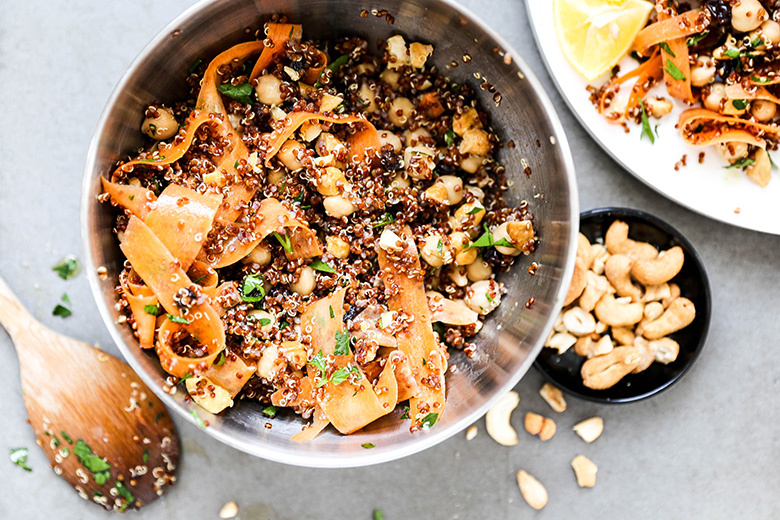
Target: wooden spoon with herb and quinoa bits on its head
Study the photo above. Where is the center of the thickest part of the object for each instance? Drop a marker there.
(101, 427)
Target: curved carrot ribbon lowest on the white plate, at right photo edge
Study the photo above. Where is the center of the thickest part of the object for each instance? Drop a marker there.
(701, 127)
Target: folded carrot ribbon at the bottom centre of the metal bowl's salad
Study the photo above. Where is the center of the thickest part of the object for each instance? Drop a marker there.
(353, 403)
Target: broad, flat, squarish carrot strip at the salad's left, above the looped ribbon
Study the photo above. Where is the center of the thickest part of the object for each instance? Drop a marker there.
(181, 220)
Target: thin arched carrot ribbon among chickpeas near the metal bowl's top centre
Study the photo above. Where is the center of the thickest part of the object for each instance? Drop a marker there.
(361, 143)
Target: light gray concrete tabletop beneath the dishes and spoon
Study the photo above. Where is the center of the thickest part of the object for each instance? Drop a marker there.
(707, 448)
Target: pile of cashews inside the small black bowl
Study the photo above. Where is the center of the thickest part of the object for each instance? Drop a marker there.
(621, 307)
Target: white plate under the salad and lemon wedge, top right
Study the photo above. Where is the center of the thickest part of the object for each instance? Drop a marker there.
(708, 188)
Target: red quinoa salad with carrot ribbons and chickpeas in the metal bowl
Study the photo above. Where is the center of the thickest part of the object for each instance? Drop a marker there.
(313, 228)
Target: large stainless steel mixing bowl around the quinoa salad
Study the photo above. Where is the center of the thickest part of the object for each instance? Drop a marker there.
(512, 336)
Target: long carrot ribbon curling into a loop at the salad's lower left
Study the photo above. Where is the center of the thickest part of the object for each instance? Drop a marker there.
(161, 272)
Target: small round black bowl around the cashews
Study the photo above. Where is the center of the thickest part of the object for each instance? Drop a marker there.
(563, 370)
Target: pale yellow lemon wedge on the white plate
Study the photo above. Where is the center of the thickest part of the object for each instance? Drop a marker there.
(595, 34)
